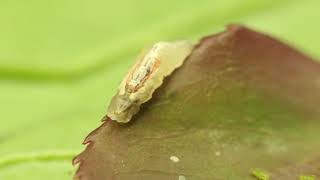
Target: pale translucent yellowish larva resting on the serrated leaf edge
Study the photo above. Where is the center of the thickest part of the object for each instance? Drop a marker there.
(146, 76)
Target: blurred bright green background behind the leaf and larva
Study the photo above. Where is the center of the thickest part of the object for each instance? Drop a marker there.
(61, 62)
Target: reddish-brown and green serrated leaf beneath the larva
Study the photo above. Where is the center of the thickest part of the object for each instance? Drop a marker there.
(242, 100)
